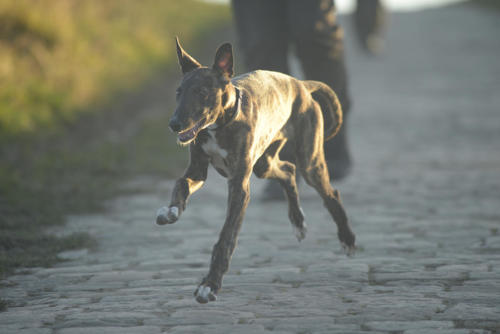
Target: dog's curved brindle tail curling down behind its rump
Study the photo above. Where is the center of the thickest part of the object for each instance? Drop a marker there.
(330, 106)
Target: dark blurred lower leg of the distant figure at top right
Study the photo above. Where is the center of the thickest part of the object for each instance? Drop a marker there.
(369, 21)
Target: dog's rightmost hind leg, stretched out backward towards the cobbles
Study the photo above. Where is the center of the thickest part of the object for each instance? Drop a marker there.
(311, 162)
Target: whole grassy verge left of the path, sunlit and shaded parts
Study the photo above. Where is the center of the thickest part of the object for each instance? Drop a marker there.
(72, 75)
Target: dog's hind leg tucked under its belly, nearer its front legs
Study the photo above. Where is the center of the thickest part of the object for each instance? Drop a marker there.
(269, 166)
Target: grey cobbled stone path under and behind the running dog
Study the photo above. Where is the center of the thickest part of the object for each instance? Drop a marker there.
(423, 199)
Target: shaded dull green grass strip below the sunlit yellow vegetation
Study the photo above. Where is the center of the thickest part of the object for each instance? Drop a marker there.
(64, 174)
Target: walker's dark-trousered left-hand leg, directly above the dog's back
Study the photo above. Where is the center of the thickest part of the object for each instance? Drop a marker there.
(261, 26)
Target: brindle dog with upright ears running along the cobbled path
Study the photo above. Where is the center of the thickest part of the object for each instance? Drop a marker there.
(239, 125)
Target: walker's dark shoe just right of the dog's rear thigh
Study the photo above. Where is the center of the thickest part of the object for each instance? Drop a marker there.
(337, 155)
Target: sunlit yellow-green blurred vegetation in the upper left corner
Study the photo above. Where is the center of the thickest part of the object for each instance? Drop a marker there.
(59, 56)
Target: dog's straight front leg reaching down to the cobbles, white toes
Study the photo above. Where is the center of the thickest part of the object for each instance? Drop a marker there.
(239, 195)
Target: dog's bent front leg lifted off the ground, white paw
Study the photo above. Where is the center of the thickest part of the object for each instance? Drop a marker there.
(191, 181)
